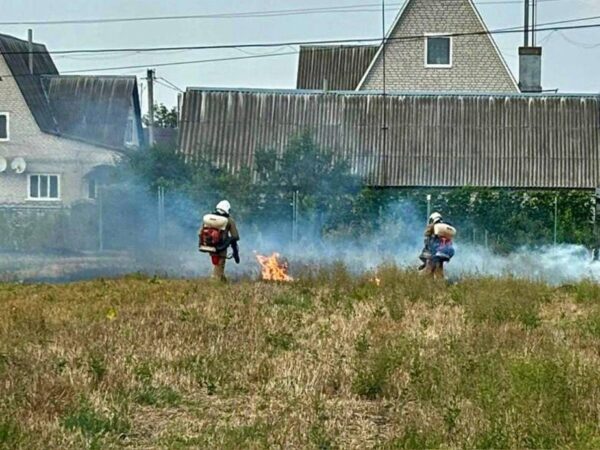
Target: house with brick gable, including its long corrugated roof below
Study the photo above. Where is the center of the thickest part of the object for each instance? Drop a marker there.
(451, 116)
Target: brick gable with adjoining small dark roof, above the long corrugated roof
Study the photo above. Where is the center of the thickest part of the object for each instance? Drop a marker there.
(432, 46)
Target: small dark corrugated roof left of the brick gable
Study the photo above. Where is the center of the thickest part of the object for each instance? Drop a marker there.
(342, 66)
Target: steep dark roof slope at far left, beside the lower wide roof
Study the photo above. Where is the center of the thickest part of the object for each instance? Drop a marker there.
(15, 52)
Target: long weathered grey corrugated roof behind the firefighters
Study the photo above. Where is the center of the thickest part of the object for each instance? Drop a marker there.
(526, 141)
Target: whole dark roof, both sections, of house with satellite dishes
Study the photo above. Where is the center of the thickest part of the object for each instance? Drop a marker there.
(93, 109)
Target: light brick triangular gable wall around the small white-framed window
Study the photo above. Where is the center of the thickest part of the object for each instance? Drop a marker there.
(476, 65)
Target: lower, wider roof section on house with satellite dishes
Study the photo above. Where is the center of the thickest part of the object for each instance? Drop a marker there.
(93, 109)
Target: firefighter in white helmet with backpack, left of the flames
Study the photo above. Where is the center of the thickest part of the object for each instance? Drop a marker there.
(217, 233)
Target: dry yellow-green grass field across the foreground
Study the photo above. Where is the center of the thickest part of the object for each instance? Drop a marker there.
(333, 360)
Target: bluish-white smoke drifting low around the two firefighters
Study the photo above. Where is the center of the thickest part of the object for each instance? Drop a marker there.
(131, 225)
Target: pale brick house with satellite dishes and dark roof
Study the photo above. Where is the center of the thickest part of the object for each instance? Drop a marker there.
(57, 132)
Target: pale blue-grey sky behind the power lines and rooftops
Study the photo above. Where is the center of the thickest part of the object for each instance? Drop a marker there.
(571, 59)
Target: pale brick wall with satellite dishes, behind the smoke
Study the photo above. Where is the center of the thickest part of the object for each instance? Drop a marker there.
(44, 154)
